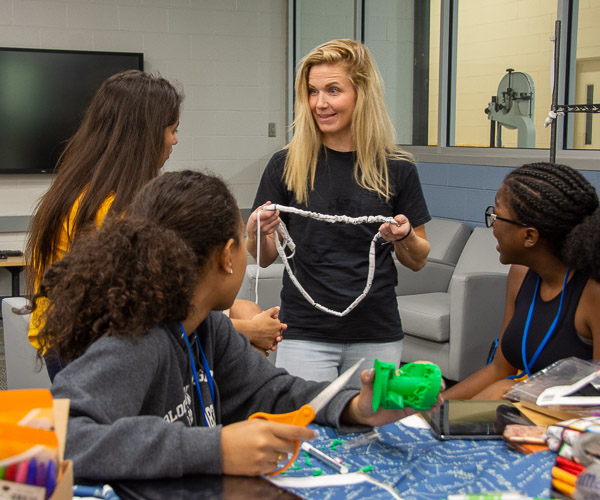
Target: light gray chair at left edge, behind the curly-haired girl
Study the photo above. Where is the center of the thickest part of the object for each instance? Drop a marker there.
(23, 370)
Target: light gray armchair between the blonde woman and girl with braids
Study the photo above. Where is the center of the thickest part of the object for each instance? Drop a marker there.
(455, 326)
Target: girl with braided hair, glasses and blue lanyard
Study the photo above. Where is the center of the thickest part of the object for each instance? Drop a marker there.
(546, 219)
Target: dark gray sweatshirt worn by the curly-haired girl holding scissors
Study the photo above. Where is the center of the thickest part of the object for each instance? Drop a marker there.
(135, 412)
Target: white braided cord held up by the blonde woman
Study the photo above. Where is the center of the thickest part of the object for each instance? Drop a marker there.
(289, 243)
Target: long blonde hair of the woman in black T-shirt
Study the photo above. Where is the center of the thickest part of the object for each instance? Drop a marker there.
(373, 133)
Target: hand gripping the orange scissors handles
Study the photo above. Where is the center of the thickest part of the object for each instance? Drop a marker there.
(254, 447)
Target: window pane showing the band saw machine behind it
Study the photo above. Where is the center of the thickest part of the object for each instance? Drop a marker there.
(504, 55)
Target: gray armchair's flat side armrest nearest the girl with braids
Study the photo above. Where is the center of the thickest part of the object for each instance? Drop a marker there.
(477, 302)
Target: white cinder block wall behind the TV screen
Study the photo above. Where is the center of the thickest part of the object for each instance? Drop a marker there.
(229, 55)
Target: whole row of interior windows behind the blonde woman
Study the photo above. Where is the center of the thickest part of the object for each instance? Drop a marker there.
(495, 85)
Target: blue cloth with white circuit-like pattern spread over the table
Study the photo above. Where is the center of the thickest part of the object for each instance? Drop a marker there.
(420, 467)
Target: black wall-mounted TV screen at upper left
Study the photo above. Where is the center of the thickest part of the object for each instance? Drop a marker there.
(43, 96)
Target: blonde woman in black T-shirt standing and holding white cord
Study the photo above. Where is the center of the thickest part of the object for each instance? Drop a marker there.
(342, 160)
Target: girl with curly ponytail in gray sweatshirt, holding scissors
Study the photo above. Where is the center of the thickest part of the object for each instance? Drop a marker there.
(159, 382)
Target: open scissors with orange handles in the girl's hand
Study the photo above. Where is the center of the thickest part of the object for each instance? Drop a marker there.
(306, 414)
